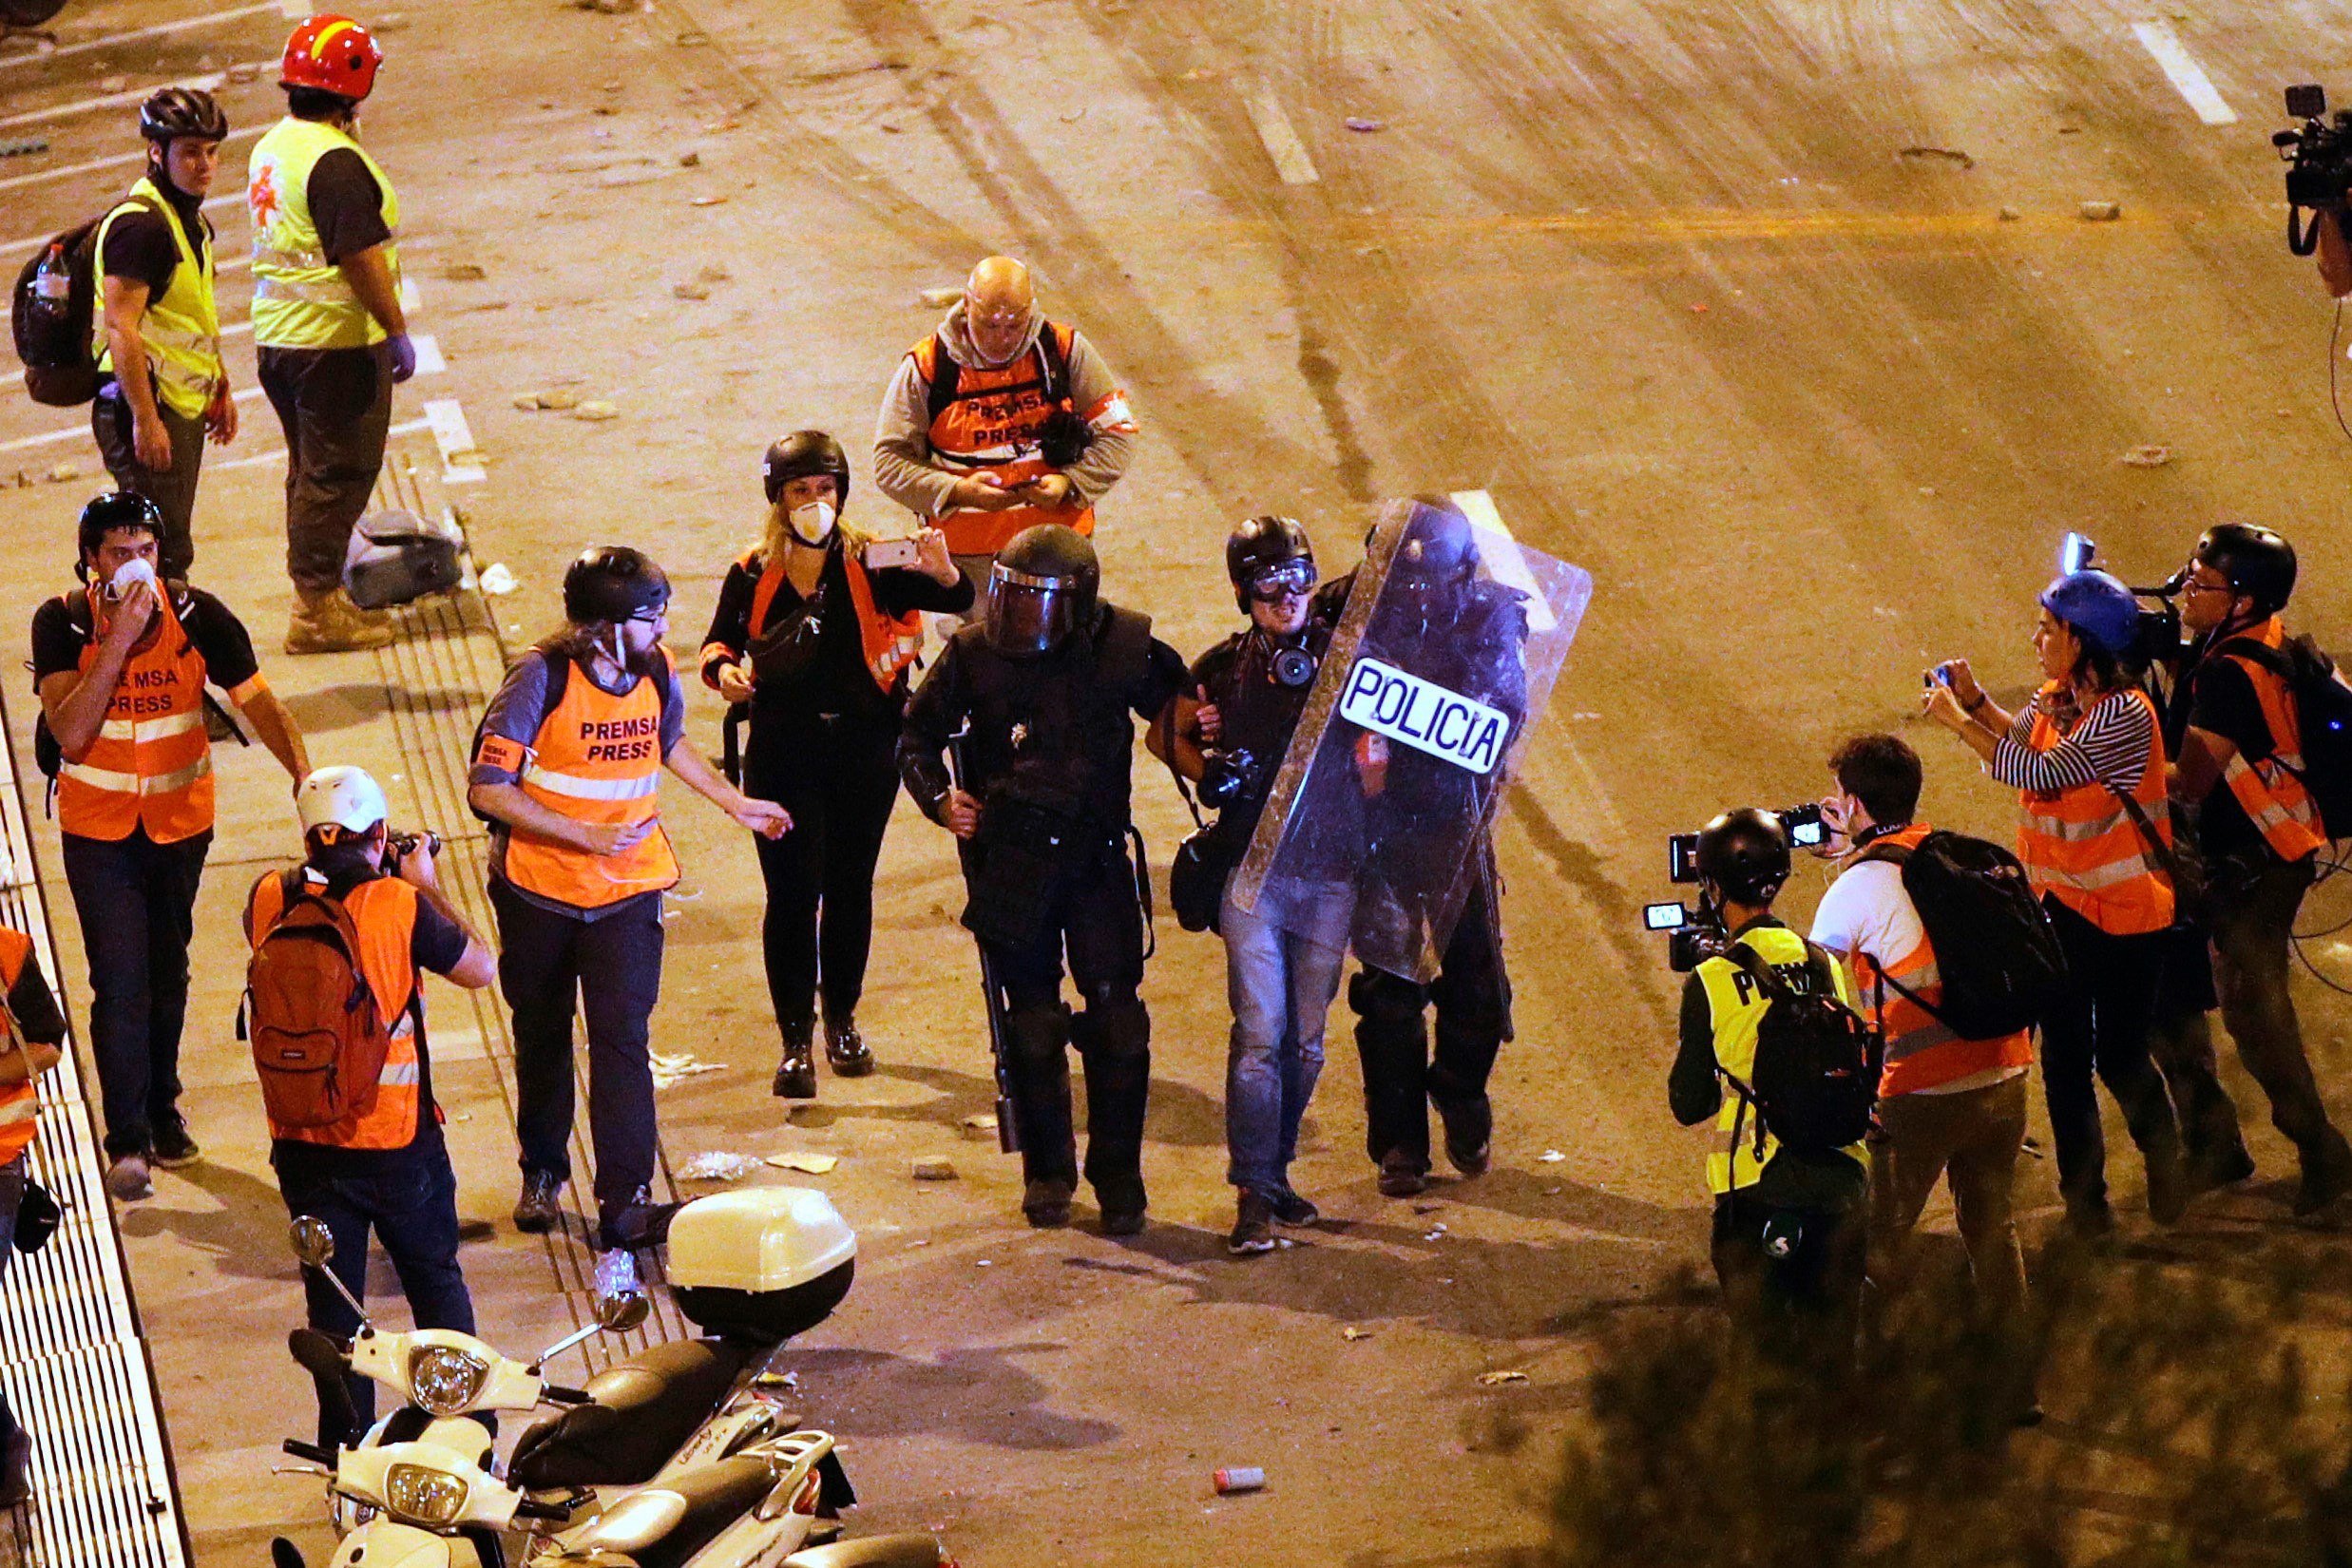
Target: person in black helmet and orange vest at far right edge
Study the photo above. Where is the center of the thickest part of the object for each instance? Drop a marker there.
(2240, 746)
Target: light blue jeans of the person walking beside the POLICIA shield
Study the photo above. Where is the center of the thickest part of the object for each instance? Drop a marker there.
(1283, 965)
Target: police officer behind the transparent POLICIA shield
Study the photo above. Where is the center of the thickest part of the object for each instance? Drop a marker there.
(1459, 631)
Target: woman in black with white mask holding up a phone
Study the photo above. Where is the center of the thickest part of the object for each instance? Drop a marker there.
(815, 648)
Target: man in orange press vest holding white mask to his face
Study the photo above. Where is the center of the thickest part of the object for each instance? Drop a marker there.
(121, 666)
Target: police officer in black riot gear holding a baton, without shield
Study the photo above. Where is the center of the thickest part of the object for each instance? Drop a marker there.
(1041, 699)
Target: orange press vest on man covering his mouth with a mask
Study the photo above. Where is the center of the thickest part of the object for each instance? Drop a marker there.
(152, 765)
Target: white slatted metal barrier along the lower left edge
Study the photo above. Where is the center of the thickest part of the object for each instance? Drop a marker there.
(72, 1353)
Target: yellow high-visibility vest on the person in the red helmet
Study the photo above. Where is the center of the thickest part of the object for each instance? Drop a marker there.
(300, 297)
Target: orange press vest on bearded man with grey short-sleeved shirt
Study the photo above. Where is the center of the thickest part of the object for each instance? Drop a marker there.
(596, 760)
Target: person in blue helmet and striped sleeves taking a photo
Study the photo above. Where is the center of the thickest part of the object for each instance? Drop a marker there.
(2094, 836)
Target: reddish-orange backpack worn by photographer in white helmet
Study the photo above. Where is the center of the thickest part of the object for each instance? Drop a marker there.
(312, 1014)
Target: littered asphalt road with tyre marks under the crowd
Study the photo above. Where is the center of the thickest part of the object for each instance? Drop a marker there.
(1777, 316)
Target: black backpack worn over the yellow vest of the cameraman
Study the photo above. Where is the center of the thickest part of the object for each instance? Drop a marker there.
(1817, 1073)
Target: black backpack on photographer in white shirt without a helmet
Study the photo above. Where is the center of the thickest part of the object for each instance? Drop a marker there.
(1993, 942)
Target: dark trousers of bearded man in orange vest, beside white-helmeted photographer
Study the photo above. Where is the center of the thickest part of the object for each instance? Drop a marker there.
(610, 970)
